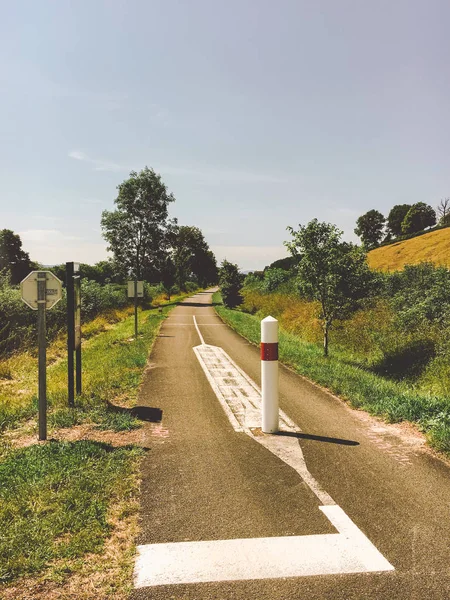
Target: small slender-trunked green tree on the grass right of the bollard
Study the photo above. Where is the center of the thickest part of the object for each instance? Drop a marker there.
(332, 272)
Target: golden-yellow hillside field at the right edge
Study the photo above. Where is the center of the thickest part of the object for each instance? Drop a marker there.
(430, 247)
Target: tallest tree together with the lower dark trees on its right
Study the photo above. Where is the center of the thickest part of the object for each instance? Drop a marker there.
(147, 244)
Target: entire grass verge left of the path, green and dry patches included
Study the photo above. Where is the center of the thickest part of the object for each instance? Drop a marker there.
(68, 509)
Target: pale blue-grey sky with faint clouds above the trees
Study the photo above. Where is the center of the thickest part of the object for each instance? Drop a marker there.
(258, 114)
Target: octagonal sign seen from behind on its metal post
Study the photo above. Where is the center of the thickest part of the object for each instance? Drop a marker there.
(41, 290)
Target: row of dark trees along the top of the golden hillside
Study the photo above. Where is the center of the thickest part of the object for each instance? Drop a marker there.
(373, 227)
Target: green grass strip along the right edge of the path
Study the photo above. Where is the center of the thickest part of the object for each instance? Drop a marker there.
(362, 389)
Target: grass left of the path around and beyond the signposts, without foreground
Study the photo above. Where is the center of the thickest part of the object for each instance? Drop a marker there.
(112, 364)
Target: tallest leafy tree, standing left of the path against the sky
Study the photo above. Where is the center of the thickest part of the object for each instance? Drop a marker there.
(137, 231)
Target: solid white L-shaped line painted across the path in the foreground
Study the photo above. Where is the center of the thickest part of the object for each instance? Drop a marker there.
(348, 551)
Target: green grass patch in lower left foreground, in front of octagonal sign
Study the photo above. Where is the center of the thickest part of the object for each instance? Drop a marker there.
(54, 501)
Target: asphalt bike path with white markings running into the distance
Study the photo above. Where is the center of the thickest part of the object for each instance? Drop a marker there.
(337, 506)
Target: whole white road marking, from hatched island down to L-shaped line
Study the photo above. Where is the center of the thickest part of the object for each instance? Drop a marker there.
(348, 551)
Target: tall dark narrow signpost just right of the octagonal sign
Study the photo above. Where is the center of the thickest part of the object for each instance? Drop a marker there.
(73, 284)
